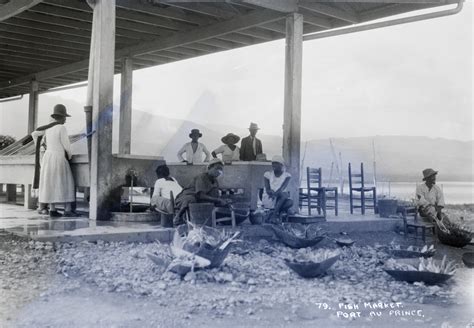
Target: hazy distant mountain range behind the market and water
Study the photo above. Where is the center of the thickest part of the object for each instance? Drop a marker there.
(398, 158)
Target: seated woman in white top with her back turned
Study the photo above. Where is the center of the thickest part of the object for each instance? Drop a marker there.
(164, 186)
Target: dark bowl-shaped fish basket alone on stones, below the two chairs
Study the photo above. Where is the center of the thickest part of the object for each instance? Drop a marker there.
(313, 265)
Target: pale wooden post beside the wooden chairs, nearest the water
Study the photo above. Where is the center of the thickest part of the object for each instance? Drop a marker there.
(292, 110)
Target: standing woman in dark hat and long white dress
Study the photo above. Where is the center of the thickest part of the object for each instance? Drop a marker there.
(56, 183)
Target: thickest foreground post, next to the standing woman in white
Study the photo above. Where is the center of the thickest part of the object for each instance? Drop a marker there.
(103, 82)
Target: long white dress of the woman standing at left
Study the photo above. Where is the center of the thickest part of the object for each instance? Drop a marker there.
(56, 184)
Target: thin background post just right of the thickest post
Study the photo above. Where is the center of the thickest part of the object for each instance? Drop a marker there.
(125, 127)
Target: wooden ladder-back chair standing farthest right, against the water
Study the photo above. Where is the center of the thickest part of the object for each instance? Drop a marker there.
(358, 192)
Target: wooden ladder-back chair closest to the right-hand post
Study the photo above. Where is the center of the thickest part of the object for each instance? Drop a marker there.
(319, 197)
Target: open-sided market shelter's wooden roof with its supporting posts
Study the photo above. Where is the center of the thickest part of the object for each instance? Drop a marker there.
(52, 43)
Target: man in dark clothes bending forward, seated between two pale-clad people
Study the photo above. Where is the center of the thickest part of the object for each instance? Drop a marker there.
(204, 188)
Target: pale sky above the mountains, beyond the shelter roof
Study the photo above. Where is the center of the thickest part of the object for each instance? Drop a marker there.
(413, 80)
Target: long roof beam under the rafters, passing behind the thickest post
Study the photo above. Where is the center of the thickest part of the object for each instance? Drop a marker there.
(202, 34)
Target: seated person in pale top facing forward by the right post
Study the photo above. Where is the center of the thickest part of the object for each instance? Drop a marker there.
(275, 195)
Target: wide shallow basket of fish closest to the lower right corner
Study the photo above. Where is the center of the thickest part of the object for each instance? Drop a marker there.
(429, 271)
